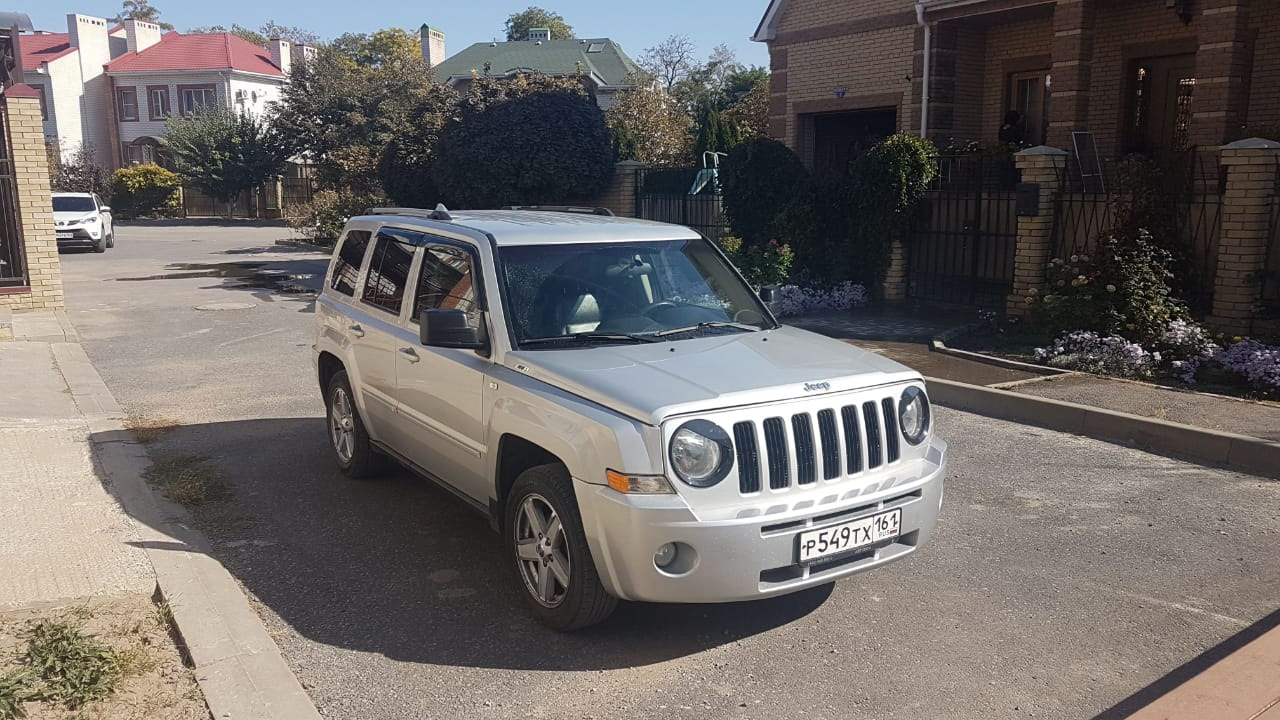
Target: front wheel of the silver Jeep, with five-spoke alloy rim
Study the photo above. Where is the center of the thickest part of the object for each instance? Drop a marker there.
(548, 549)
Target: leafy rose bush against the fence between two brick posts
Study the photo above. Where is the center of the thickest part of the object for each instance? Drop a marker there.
(1122, 290)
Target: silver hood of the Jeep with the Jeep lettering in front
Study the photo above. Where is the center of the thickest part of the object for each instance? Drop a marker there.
(655, 382)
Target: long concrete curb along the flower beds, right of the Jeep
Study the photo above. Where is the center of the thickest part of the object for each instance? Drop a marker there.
(1228, 450)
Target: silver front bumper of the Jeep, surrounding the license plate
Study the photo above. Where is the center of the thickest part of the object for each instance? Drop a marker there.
(752, 557)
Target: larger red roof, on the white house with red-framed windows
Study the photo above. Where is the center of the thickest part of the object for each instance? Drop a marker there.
(216, 52)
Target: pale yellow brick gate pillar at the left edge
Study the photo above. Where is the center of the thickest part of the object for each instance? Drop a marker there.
(35, 211)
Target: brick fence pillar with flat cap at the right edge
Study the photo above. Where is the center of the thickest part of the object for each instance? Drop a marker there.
(1252, 168)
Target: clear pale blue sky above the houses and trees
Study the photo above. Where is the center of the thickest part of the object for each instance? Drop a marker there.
(633, 25)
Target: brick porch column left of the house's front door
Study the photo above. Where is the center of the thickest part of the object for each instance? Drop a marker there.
(1073, 57)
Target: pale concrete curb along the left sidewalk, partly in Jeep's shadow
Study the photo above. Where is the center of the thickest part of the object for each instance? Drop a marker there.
(239, 667)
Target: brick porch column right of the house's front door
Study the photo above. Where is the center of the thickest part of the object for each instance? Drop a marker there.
(1223, 67)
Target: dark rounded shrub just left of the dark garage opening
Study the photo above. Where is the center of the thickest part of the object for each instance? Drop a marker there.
(760, 180)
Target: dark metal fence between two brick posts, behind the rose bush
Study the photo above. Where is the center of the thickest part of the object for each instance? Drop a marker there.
(1183, 207)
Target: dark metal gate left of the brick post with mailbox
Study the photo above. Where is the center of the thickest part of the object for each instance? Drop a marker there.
(963, 243)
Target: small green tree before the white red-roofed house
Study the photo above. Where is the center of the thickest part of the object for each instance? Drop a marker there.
(225, 153)
